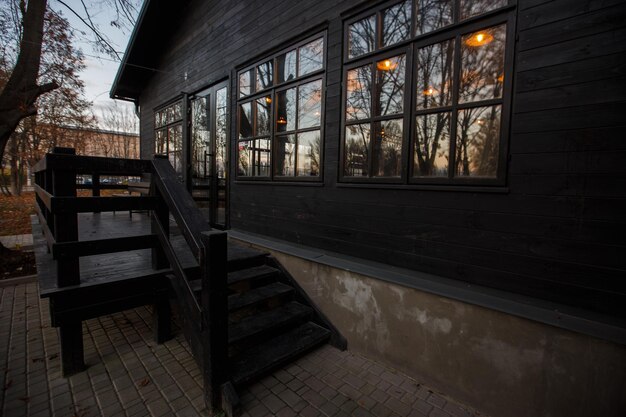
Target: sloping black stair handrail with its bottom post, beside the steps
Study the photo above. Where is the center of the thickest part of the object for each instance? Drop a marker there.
(205, 323)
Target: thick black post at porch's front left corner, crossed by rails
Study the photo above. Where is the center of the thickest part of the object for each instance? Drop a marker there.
(68, 270)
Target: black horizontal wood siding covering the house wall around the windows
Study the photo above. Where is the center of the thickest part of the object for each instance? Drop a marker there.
(556, 232)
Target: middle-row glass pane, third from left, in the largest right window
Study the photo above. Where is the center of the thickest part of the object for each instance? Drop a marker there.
(434, 75)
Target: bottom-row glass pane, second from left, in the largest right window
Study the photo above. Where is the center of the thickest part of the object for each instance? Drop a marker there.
(387, 158)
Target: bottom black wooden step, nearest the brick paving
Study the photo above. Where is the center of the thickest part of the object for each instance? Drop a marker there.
(264, 358)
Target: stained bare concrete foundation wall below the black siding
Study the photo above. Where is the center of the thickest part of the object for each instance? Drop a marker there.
(500, 364)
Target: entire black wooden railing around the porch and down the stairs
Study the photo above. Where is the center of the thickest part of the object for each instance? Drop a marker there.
(204, 319)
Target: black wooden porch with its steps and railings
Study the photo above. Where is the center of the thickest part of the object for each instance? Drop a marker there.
(242, 314)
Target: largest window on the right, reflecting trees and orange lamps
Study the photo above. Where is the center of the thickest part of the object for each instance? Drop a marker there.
(425, 92)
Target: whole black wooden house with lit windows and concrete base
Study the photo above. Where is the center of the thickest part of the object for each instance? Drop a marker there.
(445, 178)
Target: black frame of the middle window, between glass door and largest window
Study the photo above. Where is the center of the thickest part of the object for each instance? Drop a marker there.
(272, 91)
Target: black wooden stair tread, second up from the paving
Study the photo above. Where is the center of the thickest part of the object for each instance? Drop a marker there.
(275, 318)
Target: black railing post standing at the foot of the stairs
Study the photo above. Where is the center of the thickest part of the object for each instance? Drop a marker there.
(214, 272)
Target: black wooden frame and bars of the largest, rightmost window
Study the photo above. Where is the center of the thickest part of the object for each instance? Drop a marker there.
(503, 15)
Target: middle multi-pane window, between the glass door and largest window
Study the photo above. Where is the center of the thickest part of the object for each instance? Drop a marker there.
(280, 114)
